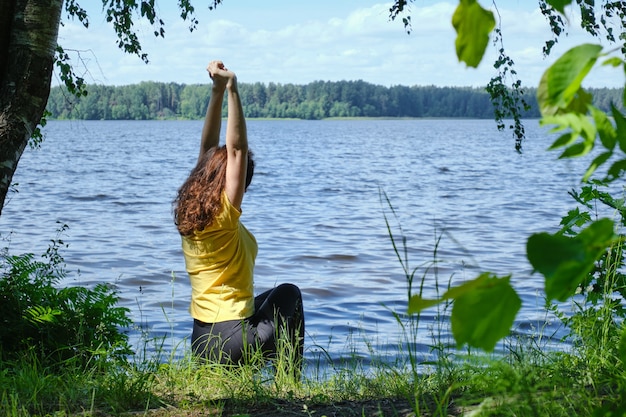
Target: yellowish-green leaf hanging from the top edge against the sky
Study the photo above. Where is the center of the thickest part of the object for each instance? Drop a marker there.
(473, 24)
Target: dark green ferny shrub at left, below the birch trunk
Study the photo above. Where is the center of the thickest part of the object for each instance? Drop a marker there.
(56, 323)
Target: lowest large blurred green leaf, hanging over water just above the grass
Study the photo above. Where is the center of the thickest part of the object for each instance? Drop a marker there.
(484, 315)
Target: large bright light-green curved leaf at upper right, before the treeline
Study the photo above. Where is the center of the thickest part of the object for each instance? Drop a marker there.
(560, 85)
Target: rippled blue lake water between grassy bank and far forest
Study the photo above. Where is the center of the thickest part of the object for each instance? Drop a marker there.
(315, 207)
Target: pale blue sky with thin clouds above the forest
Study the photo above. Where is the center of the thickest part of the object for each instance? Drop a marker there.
(287, 41)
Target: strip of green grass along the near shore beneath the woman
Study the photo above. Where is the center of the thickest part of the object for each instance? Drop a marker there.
(526, 381)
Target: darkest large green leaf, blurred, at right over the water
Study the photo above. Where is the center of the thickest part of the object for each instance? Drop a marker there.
(565, 261)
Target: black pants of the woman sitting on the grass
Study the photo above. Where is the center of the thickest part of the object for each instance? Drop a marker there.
(276, 311)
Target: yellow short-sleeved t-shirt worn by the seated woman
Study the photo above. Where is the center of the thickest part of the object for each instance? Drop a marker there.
(220, 264)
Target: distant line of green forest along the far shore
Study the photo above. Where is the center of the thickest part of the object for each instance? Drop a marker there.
(316, 100)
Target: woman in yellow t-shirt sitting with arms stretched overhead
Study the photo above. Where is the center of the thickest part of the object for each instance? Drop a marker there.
(229, 322)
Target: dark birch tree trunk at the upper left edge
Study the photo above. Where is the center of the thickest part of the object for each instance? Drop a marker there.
(28, 39)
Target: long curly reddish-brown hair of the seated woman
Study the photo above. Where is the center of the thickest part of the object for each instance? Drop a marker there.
(198, 200)
